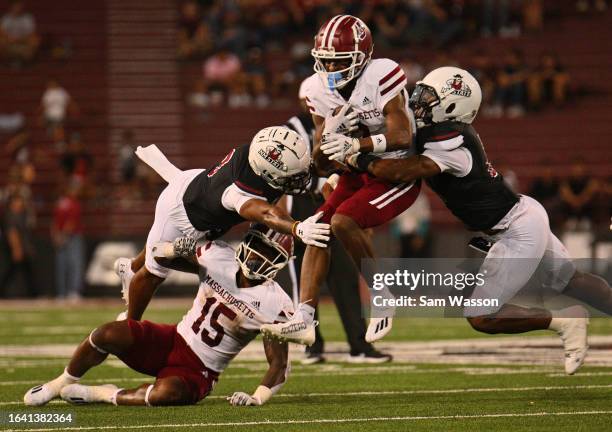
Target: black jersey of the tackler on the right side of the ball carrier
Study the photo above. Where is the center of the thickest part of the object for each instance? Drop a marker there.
(479, 199)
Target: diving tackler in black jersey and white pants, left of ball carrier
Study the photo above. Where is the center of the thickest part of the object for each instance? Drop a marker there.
(199, 203)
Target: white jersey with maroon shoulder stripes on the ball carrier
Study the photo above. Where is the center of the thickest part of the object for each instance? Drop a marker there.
(379, 82)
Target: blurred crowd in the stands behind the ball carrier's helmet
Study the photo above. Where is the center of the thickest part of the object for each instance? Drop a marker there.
(254, 52)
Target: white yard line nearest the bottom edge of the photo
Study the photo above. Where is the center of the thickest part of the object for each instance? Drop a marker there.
(323, 421)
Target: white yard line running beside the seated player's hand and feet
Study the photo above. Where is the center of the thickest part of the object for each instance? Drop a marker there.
(405, 392)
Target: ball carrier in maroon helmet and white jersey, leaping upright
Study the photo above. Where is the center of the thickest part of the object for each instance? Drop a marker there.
(349, 95)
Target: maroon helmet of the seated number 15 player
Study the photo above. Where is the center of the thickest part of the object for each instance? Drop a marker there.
(263, 252)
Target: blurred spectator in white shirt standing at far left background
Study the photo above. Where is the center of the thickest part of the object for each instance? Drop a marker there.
(54, 106)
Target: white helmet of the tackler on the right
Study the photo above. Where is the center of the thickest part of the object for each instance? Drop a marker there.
(446, 93)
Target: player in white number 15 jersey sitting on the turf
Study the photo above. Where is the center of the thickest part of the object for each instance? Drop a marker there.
(237, 294)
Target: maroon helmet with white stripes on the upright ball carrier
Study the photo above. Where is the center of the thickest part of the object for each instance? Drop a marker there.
(342, 38)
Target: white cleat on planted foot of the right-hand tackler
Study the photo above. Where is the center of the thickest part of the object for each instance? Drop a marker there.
(573, 333)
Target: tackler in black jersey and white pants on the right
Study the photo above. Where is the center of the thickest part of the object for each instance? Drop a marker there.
(453, 161)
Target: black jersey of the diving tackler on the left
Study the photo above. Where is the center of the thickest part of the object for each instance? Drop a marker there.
(202, 198)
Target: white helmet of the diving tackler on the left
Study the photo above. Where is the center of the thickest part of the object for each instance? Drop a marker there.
(281, 157)
